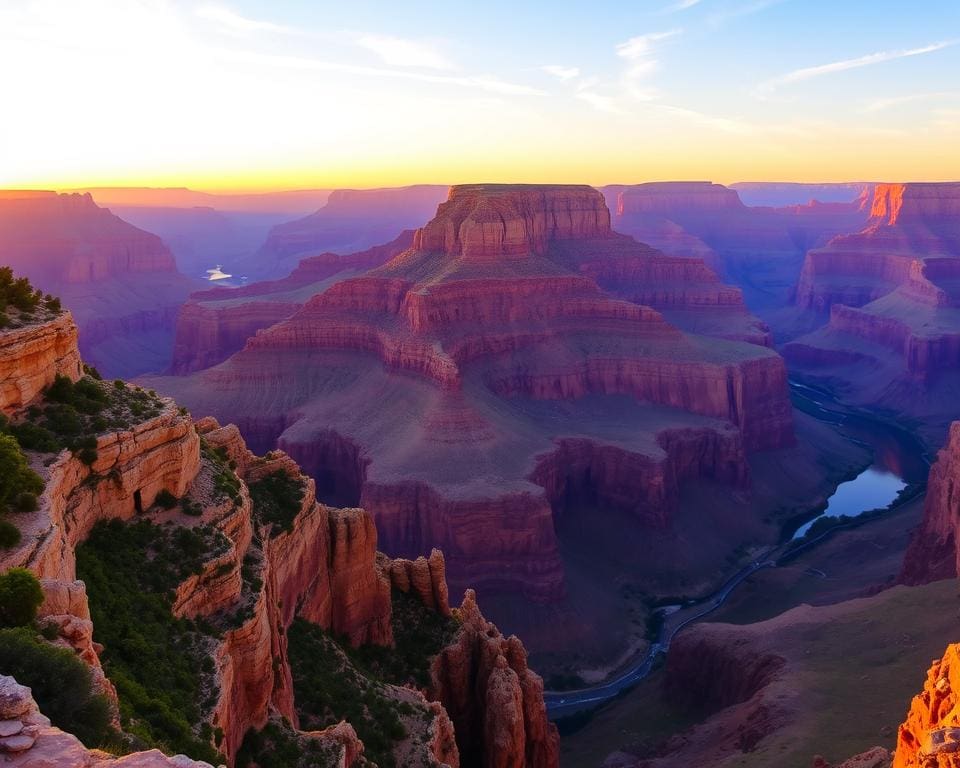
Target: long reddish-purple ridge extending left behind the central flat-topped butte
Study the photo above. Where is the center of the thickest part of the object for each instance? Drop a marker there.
(214, 324)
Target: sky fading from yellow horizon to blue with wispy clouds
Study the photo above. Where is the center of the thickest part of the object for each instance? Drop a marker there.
(287, 94)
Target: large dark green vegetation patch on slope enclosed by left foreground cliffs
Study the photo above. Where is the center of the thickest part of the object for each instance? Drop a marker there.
(163, 702)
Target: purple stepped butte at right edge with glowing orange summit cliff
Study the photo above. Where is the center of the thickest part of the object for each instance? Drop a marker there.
(886, 301)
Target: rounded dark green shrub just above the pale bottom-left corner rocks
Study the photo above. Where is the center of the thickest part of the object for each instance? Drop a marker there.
(61, 684)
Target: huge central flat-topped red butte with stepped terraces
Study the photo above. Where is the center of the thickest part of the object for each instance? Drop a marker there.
(441, 390)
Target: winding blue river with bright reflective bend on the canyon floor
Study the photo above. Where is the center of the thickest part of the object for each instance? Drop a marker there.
(899, 462)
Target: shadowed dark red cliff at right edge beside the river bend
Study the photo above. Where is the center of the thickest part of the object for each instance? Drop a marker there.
(934, 551)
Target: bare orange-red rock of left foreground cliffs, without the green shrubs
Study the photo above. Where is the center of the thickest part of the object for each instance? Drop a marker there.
(322, 567)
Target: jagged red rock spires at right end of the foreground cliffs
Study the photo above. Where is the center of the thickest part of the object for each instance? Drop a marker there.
(493, 698)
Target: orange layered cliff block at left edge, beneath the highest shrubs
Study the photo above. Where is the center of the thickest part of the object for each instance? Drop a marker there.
(31, 357)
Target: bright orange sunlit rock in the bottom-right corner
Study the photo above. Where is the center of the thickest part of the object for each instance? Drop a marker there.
(930, 735)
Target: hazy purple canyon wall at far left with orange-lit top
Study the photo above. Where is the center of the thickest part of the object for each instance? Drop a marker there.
(120, 282)
